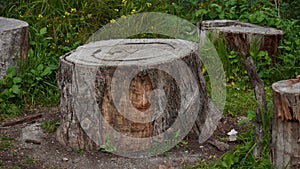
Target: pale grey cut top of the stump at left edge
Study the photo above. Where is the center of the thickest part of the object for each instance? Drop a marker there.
(9, 24)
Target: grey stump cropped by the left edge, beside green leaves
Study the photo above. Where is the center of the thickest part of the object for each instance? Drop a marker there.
(13, 43)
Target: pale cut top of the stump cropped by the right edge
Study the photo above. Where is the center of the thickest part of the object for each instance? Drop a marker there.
(287, 86)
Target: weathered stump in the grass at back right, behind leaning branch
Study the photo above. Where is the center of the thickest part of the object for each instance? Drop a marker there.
(246, 35)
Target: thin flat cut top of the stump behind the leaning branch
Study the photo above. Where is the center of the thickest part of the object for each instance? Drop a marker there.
(239, 27)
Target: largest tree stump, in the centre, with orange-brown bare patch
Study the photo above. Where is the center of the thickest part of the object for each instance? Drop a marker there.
(132, 94)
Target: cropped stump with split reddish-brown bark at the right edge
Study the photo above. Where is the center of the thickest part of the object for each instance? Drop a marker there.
(285, 149)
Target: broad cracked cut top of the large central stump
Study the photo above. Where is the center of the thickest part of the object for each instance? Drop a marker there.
(131, 52)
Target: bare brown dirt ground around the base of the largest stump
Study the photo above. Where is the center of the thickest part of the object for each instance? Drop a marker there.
(48, 153)
